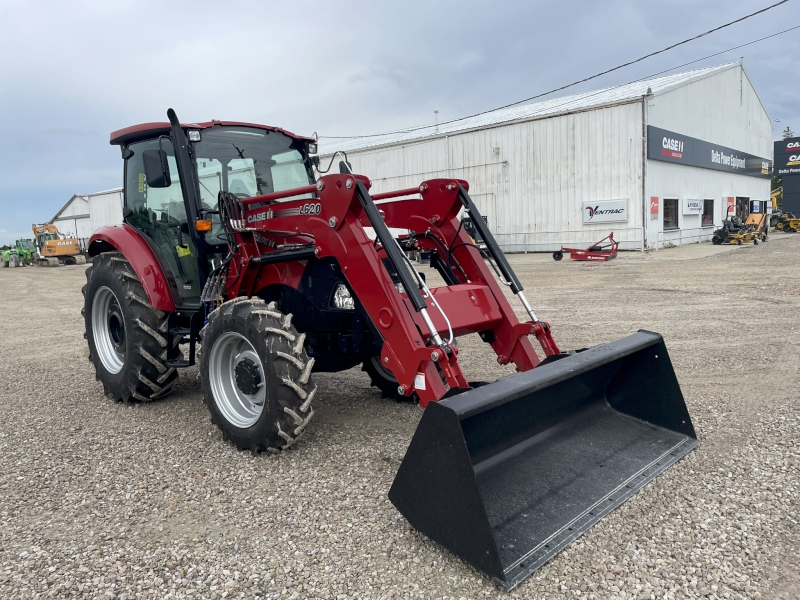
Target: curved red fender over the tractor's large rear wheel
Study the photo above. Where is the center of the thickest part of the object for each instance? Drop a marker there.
(134, 248)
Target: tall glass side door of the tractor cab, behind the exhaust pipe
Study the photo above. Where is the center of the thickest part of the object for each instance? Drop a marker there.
(159, 214)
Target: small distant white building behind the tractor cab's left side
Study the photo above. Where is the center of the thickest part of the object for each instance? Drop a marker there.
(83, 214)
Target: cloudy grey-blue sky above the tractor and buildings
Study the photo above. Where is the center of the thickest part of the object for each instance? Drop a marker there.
(72, 72)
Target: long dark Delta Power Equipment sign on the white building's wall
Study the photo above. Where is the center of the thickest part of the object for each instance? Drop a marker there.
(676, 148)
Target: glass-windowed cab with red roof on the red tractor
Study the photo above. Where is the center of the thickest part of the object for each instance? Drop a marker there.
(171, 197)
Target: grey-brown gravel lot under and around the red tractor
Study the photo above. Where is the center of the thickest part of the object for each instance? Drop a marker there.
(99, 500)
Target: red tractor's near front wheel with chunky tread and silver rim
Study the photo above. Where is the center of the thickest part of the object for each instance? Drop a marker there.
(256, 375)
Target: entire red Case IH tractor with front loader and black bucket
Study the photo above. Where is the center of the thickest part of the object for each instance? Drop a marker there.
(230, 240)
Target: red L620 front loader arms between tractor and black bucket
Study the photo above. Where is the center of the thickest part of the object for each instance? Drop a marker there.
(412, 326)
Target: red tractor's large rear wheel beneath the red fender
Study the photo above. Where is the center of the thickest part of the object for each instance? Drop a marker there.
(127, 337)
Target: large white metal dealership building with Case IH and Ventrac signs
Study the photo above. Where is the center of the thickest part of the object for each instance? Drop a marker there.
(657, 161)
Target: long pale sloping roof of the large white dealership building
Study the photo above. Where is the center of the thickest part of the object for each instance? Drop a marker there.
(527, 112)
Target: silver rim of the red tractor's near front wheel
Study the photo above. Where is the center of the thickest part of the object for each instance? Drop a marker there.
(239, 409)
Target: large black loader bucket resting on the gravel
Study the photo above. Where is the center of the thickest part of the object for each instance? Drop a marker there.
(508, 474)
